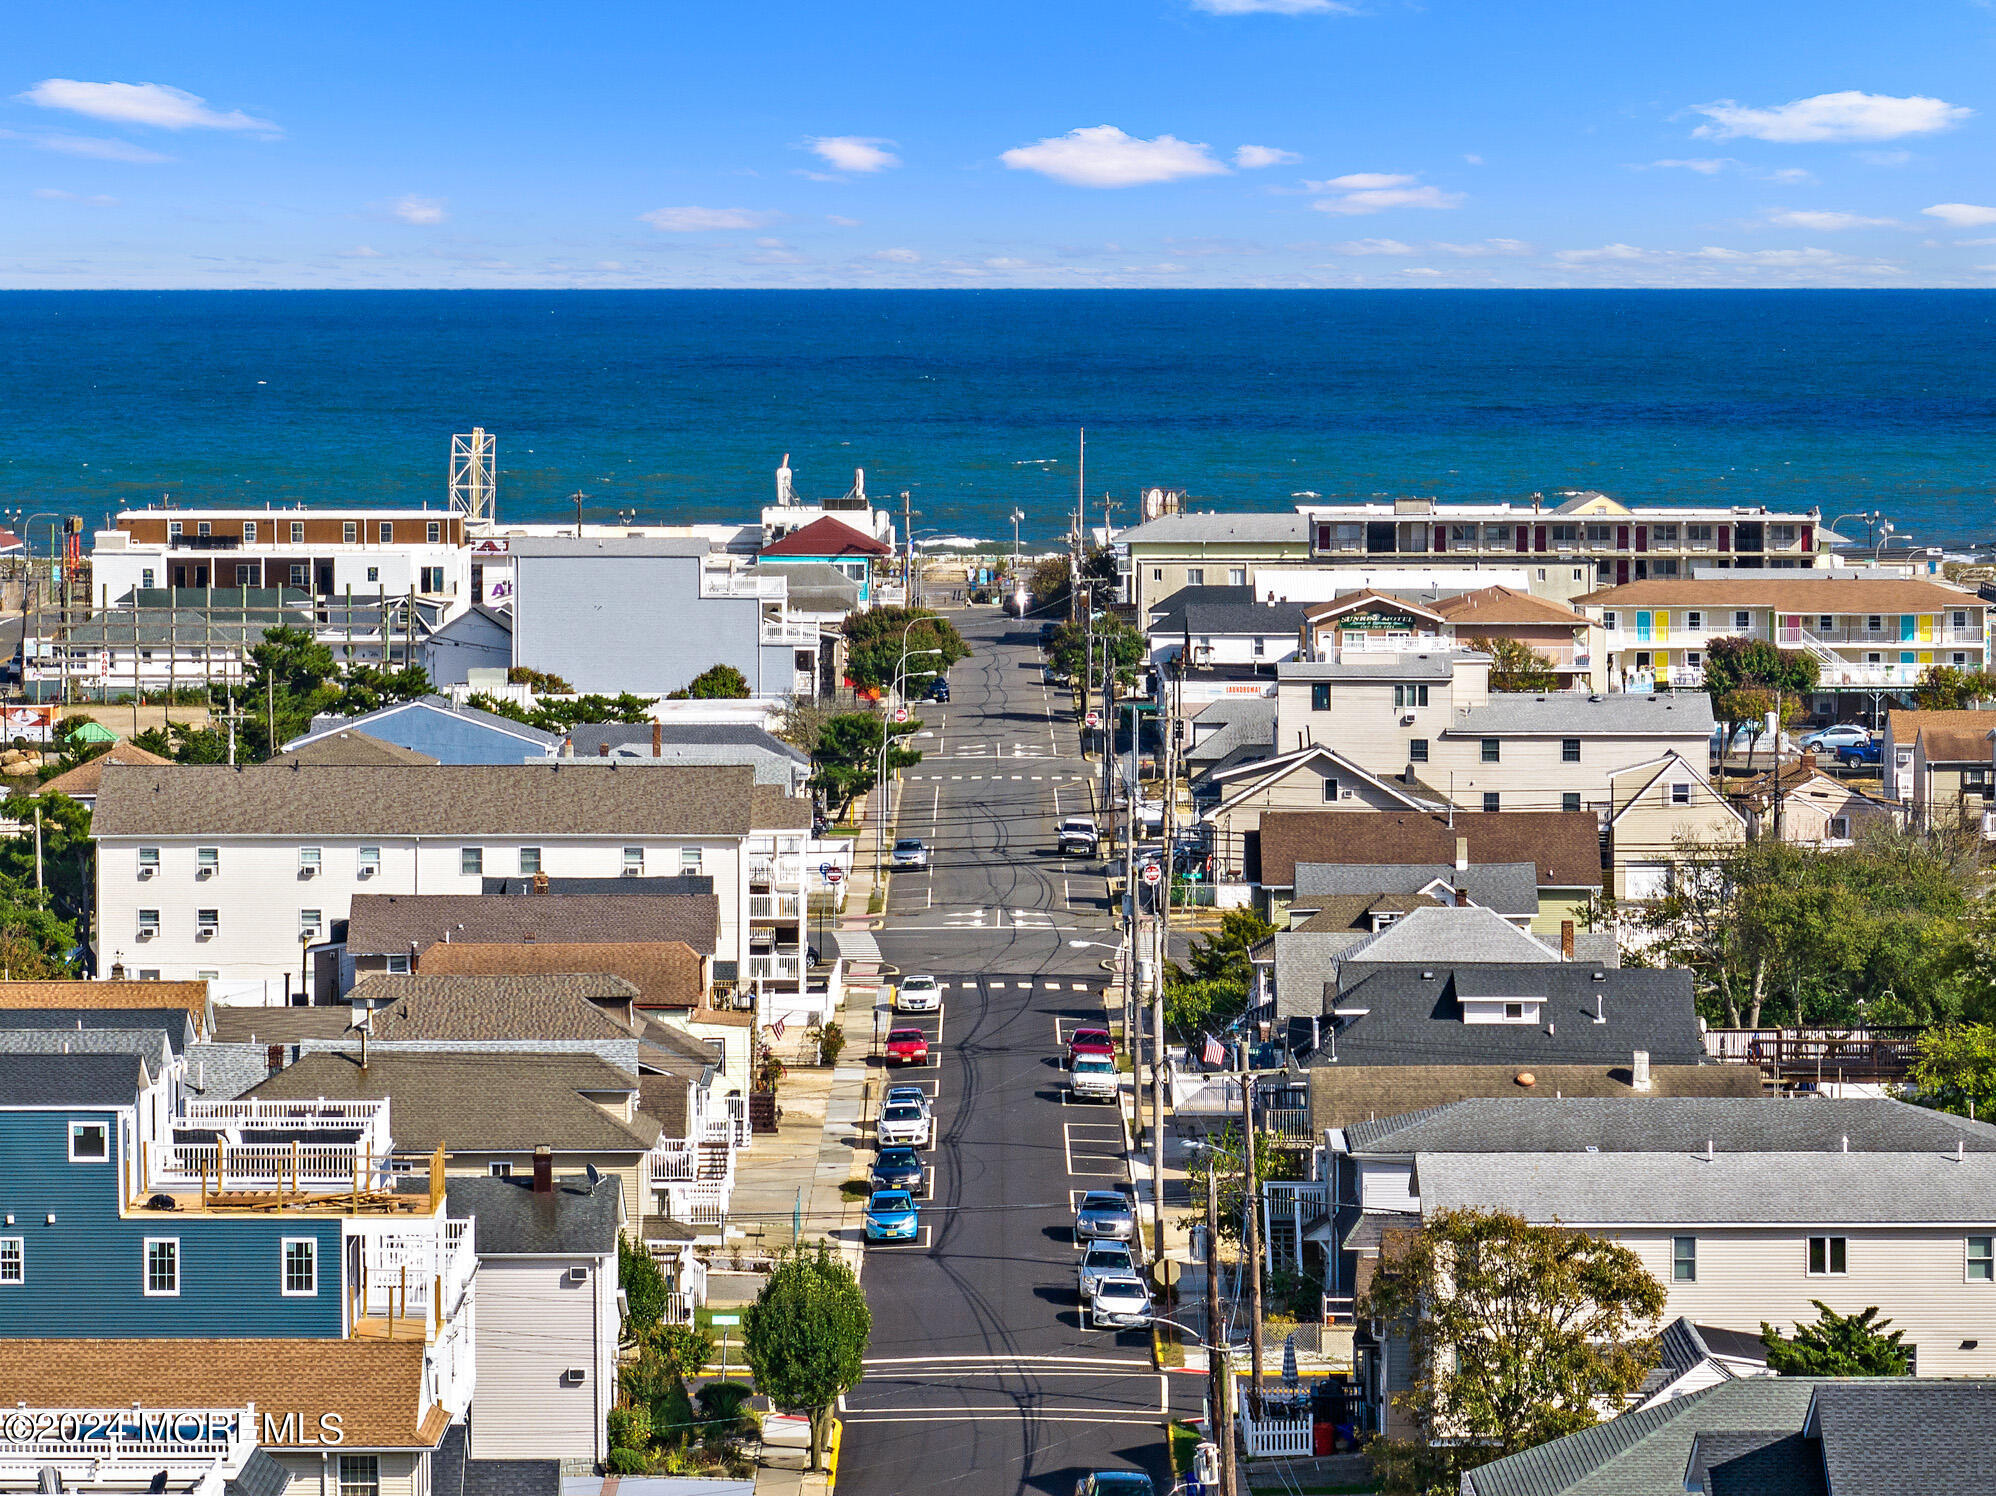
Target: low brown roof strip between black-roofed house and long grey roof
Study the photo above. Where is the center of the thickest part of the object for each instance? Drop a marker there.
(1342, 1096)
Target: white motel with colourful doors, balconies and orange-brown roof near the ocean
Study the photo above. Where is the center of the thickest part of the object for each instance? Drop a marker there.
(1867, 634)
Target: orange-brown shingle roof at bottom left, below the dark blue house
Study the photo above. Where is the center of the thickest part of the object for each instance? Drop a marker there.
(376, 1387)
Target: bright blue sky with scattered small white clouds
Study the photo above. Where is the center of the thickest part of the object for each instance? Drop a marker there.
(1087, 143)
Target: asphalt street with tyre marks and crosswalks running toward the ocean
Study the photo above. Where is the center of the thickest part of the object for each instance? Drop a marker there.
(981, 1379)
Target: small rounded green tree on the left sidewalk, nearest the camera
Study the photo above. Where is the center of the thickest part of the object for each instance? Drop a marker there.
(805, 1335)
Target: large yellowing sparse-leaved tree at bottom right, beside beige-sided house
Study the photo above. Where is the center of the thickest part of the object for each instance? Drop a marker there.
(1516, 1331)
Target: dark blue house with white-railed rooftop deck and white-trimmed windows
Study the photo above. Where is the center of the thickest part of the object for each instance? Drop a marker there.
(133, 1209)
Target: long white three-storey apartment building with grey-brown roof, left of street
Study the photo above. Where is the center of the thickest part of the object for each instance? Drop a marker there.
(241, 874)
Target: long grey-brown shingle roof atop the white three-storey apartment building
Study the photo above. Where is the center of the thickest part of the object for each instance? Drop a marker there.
(424, 800)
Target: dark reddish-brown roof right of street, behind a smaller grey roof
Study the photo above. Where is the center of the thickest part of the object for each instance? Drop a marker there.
(1566, 846)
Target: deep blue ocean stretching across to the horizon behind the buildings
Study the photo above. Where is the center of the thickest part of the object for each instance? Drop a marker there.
(678, 406)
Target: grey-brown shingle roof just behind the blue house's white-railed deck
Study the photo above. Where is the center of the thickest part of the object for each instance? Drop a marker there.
(476, 1104)
